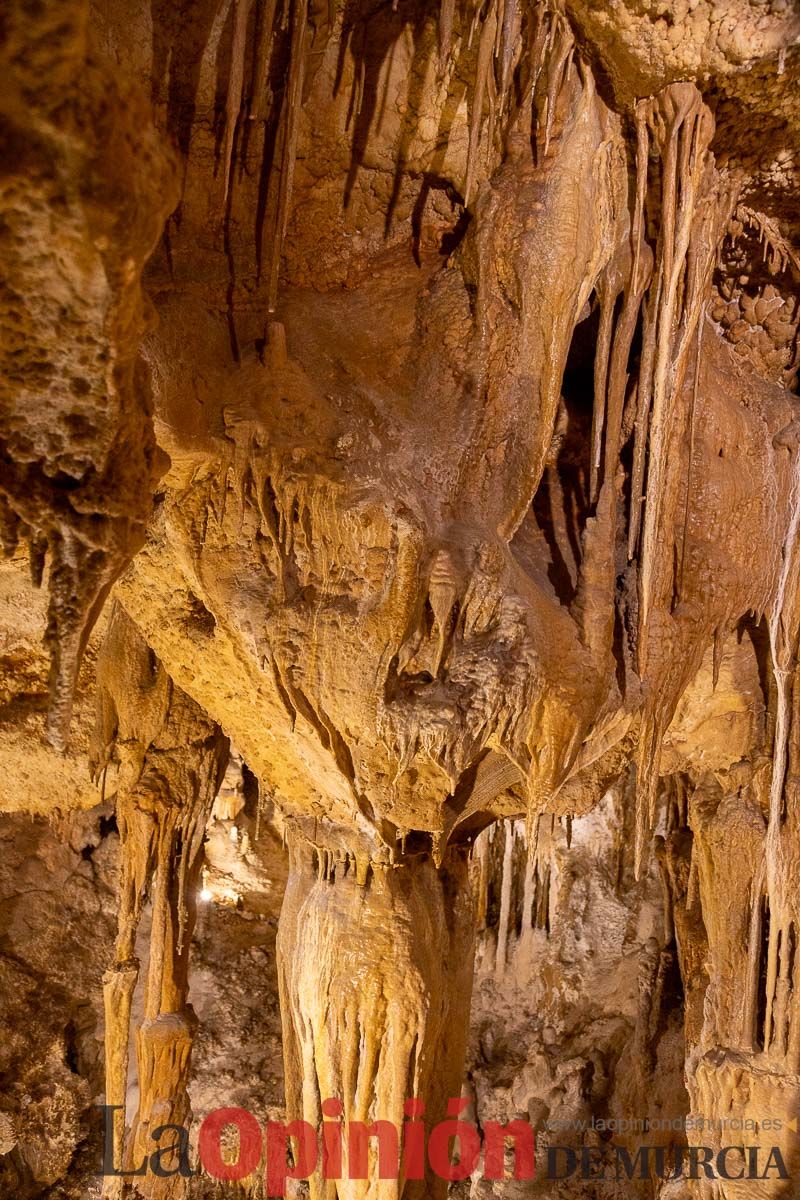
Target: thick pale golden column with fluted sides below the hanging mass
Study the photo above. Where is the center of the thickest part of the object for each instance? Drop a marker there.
(376, 969)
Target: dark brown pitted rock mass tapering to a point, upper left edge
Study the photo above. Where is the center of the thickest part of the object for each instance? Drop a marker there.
(76, 429)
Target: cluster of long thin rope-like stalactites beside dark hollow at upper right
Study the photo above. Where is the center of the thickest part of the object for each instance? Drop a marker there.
(665, 290)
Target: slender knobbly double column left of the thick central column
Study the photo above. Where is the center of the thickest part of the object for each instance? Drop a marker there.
(171, 760)
